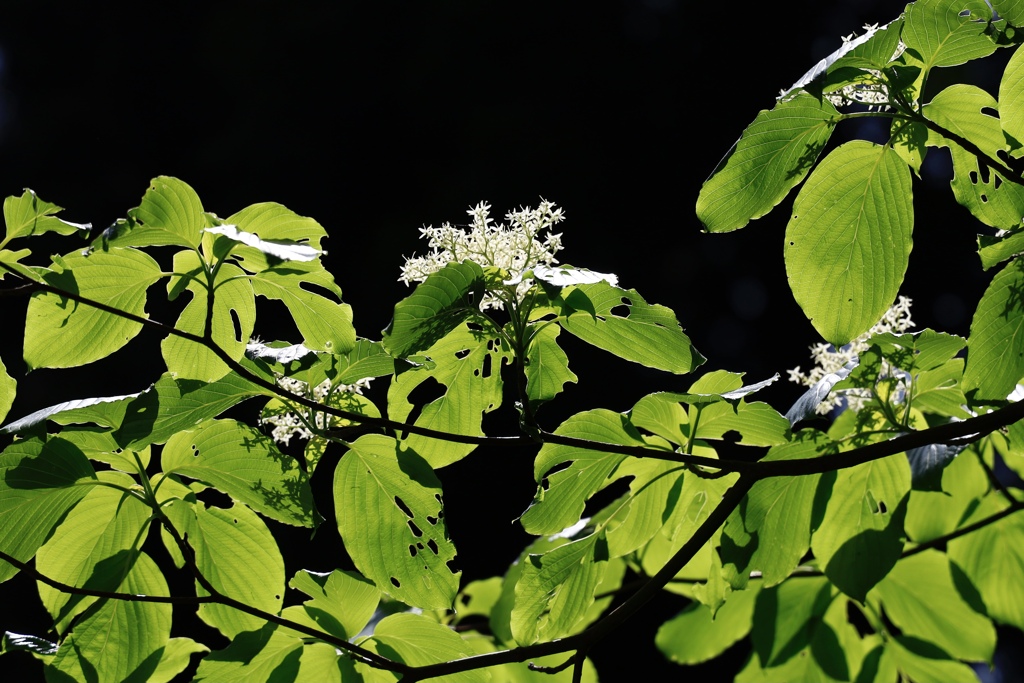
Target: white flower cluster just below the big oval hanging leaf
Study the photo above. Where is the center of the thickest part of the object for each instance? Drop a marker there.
(829, 360)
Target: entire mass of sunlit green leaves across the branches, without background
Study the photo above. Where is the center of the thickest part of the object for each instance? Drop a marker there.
(863, 550)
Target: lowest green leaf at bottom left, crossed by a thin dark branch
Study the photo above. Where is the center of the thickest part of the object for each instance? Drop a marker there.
(119, 641)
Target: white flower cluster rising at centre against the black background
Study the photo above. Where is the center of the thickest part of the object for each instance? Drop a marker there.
(514, 248)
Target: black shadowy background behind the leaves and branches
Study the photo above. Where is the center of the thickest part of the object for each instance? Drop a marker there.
(379, 118)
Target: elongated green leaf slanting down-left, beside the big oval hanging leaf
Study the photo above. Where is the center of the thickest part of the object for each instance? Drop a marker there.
(772, 158)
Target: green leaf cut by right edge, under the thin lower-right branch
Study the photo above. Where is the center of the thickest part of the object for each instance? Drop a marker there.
(991, 556)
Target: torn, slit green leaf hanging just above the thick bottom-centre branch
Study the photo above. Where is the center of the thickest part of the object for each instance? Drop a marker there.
(556, 590)
